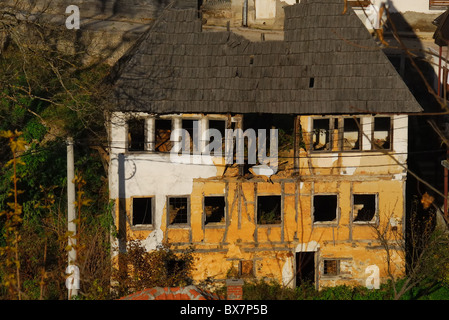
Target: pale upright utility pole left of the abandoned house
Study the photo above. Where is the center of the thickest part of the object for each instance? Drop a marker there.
(72, 282)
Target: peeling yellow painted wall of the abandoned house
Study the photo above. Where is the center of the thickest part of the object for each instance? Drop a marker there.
(272, 248)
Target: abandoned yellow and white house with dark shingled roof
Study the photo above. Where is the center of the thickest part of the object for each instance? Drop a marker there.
(337, 170)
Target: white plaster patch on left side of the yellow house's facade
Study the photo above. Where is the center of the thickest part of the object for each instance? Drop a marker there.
(149, 174)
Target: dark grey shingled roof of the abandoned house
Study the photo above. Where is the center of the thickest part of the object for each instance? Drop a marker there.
(177, 68)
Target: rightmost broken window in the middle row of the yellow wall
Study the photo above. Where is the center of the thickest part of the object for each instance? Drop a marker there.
(365, 208)
